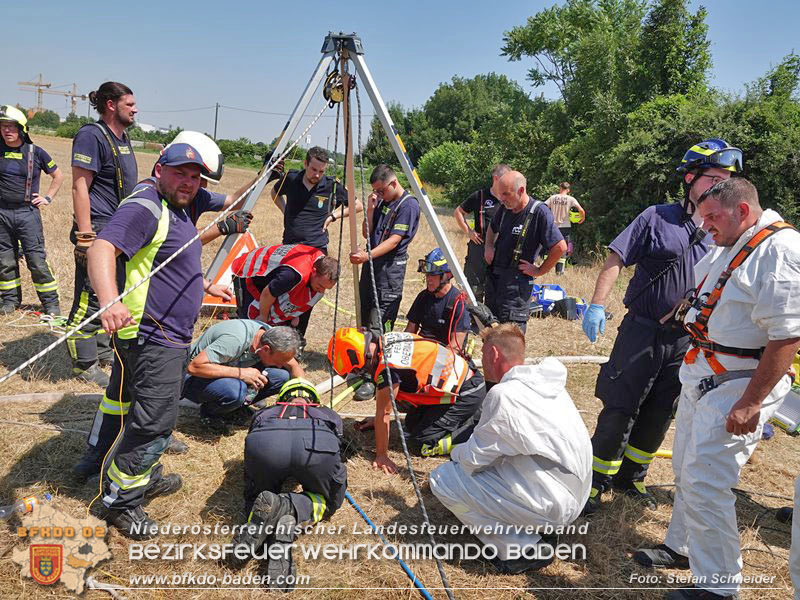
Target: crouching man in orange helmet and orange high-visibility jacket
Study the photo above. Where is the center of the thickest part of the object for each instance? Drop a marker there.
(440, 391)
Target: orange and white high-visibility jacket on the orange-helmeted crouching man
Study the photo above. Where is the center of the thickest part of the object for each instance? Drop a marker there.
(439, 371)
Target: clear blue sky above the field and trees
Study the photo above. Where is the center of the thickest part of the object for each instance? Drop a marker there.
(260, 55)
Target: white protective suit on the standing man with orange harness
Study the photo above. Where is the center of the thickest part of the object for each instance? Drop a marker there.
(760, 302)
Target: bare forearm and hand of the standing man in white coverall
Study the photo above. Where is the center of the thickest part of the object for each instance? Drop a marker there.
(775, 362)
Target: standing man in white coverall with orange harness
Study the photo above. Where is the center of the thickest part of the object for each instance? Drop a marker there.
(745, 331)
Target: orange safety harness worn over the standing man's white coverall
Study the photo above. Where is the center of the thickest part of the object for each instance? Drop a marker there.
(698, 330)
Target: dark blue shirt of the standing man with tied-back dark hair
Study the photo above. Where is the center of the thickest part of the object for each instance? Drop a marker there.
(90, 151)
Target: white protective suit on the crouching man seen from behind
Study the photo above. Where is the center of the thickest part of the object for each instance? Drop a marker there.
(528, 461)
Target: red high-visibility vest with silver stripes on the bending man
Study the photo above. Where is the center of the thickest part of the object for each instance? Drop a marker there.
(261, 261)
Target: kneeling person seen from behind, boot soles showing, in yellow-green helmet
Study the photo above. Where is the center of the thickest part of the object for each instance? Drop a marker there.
(295, 438)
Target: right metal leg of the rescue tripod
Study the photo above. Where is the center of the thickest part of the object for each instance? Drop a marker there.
(411, 172)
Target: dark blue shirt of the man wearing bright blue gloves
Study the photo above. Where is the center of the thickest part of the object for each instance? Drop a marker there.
(655, 240)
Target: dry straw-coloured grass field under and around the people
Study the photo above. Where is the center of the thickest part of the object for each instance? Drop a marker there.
(40, 441)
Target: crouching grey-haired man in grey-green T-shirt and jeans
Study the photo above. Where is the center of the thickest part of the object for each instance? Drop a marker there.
(239, 362)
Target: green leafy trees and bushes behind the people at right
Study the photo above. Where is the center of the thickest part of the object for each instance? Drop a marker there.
(634, 94)
